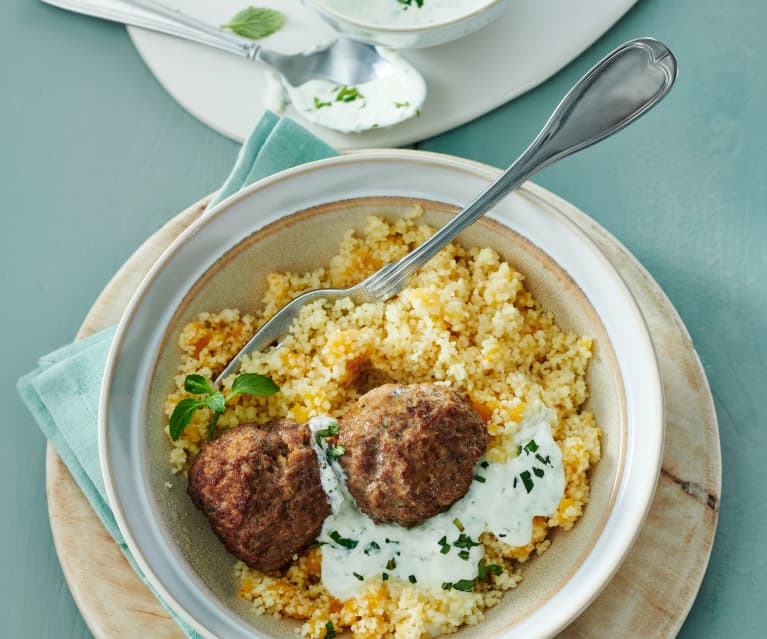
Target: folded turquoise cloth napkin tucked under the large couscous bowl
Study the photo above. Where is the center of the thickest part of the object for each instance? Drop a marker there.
(63, 392)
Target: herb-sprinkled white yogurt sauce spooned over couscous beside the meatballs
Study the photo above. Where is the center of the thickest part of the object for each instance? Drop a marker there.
(356, 549)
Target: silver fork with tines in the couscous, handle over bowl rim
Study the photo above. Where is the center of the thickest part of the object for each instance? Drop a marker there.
(620, 88)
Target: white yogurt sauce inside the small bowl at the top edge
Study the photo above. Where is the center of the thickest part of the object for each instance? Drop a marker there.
(400, 14)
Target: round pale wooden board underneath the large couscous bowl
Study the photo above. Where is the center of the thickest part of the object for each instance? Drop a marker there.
(650, 595)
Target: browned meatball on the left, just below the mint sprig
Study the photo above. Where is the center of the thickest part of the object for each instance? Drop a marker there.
(259, 485)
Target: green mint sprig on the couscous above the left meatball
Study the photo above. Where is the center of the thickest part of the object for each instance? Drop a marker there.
(245, 384)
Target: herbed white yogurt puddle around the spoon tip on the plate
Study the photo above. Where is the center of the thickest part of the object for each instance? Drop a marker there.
(380, 103)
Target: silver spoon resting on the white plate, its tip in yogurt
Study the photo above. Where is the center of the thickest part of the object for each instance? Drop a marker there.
(343, 61)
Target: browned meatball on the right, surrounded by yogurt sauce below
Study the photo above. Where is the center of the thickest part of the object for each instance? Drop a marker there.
(410, 450)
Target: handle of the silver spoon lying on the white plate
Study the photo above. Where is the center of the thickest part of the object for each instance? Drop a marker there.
(148, 14)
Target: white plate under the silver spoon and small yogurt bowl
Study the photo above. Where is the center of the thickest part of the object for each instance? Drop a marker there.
(466, 78)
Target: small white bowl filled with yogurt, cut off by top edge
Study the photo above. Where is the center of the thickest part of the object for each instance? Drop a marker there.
(408, 24)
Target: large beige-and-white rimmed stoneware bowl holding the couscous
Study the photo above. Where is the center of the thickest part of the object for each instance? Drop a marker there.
(294, 221)
